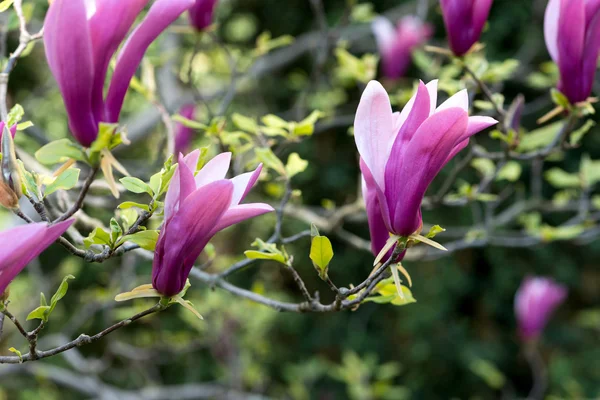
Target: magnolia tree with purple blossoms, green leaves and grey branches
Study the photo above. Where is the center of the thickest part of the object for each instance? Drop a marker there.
(212, 156)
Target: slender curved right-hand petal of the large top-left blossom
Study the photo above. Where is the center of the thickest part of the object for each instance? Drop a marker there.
(159, 17)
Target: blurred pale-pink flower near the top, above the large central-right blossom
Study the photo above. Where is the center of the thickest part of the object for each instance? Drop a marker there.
(397, 44)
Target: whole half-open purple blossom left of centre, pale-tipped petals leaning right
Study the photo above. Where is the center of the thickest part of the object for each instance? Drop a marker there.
(196, 208)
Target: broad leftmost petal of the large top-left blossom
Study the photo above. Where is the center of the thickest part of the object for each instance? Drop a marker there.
(69, 53)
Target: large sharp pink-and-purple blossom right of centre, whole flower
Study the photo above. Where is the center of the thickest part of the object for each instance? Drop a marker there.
(401, 153)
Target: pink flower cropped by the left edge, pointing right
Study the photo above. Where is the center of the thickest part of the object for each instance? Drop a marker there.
(22, 244)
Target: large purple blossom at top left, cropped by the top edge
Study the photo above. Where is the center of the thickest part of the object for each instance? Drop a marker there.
(81, 36)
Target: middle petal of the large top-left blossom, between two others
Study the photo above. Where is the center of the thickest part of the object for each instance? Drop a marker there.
(109, 24)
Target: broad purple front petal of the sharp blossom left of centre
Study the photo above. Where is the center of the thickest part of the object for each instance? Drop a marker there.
(182, 240)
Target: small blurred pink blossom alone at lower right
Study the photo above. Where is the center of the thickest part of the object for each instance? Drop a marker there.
(535, 301)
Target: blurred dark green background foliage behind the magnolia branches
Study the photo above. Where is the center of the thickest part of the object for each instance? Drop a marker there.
(458, 341)
